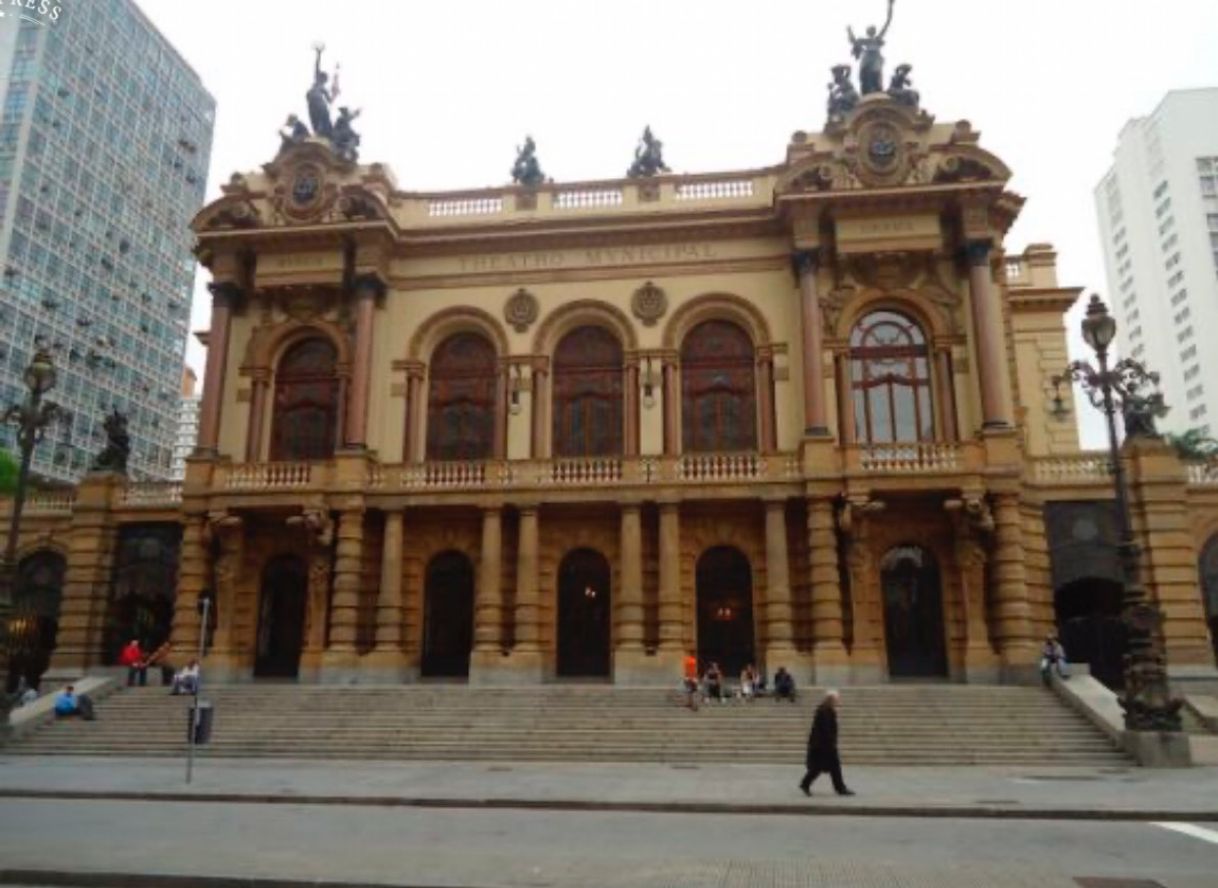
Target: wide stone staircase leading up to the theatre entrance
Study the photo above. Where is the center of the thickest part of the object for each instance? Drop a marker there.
(890, 725)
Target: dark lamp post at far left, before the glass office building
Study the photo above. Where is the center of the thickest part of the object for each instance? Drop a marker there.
(31, 420)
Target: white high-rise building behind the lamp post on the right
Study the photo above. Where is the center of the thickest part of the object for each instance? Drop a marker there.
(1159, 222)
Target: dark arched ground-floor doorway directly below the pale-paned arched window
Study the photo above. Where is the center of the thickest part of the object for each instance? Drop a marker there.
(914, 615)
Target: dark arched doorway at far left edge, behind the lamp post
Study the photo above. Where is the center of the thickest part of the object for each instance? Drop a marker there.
(36, 617)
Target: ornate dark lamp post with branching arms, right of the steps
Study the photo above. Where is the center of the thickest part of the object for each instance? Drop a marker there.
(1147, 700)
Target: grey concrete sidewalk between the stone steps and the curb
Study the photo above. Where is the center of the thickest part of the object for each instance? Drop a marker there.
(929, 792)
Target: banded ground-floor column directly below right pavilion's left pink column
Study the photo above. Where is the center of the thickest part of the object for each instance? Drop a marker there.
(829, 654)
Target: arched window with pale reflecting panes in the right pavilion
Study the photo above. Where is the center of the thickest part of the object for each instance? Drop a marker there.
(891, 373)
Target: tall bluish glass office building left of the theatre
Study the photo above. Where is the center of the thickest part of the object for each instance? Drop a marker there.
(105, 143)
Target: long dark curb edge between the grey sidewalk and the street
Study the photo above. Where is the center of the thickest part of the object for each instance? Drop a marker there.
(801, 811)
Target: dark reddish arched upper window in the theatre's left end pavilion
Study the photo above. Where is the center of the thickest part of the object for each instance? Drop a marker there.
(306, 410)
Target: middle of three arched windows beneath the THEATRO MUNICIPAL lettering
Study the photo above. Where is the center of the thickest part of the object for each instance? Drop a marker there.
(589, 394)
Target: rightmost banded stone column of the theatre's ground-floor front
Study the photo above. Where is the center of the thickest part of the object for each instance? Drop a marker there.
(1018, 647)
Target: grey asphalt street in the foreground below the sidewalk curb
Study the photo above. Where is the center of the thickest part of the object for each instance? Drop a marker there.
(515, 850)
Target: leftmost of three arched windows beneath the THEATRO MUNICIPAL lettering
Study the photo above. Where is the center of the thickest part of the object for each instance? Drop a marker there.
(461, 399)
